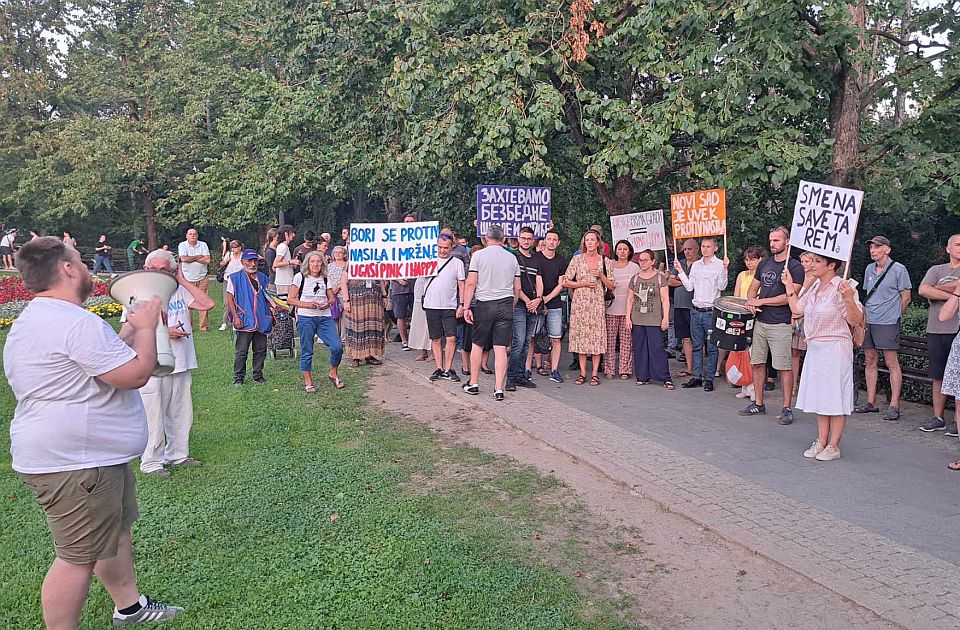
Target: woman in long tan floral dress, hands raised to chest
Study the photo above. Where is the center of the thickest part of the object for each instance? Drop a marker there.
(592, 278)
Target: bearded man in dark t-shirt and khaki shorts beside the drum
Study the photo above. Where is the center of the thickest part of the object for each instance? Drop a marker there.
(772, 330)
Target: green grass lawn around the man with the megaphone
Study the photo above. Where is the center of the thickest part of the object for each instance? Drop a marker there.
(315, 511)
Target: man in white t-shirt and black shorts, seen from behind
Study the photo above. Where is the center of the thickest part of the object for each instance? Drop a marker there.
(494, 278)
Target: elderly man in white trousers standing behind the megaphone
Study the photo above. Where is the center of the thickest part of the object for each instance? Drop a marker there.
(167, 399)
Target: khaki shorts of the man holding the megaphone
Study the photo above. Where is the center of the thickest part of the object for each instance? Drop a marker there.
(87, 509)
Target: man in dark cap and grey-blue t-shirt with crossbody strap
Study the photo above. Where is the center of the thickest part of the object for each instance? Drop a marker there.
(887, 286)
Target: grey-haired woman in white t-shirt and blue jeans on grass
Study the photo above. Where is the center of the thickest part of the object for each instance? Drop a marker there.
(311, 294)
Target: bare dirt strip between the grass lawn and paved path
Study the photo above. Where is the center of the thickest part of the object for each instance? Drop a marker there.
(661, 568)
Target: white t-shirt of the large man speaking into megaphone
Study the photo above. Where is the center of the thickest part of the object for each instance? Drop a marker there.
(66, 419)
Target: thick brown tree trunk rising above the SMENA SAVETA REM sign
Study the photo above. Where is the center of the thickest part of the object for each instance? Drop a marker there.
(845, 105)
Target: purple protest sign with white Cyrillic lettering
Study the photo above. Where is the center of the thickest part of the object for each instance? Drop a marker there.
(513, 207)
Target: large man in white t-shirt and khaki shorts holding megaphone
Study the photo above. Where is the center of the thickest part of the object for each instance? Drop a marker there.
(78, 423)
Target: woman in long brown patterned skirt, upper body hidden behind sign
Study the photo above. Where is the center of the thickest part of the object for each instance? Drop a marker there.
(363, 312)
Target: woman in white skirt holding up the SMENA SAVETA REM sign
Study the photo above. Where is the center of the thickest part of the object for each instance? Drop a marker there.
(829, 307)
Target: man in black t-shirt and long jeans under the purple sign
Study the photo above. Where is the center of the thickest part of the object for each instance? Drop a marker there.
(527, 312)
